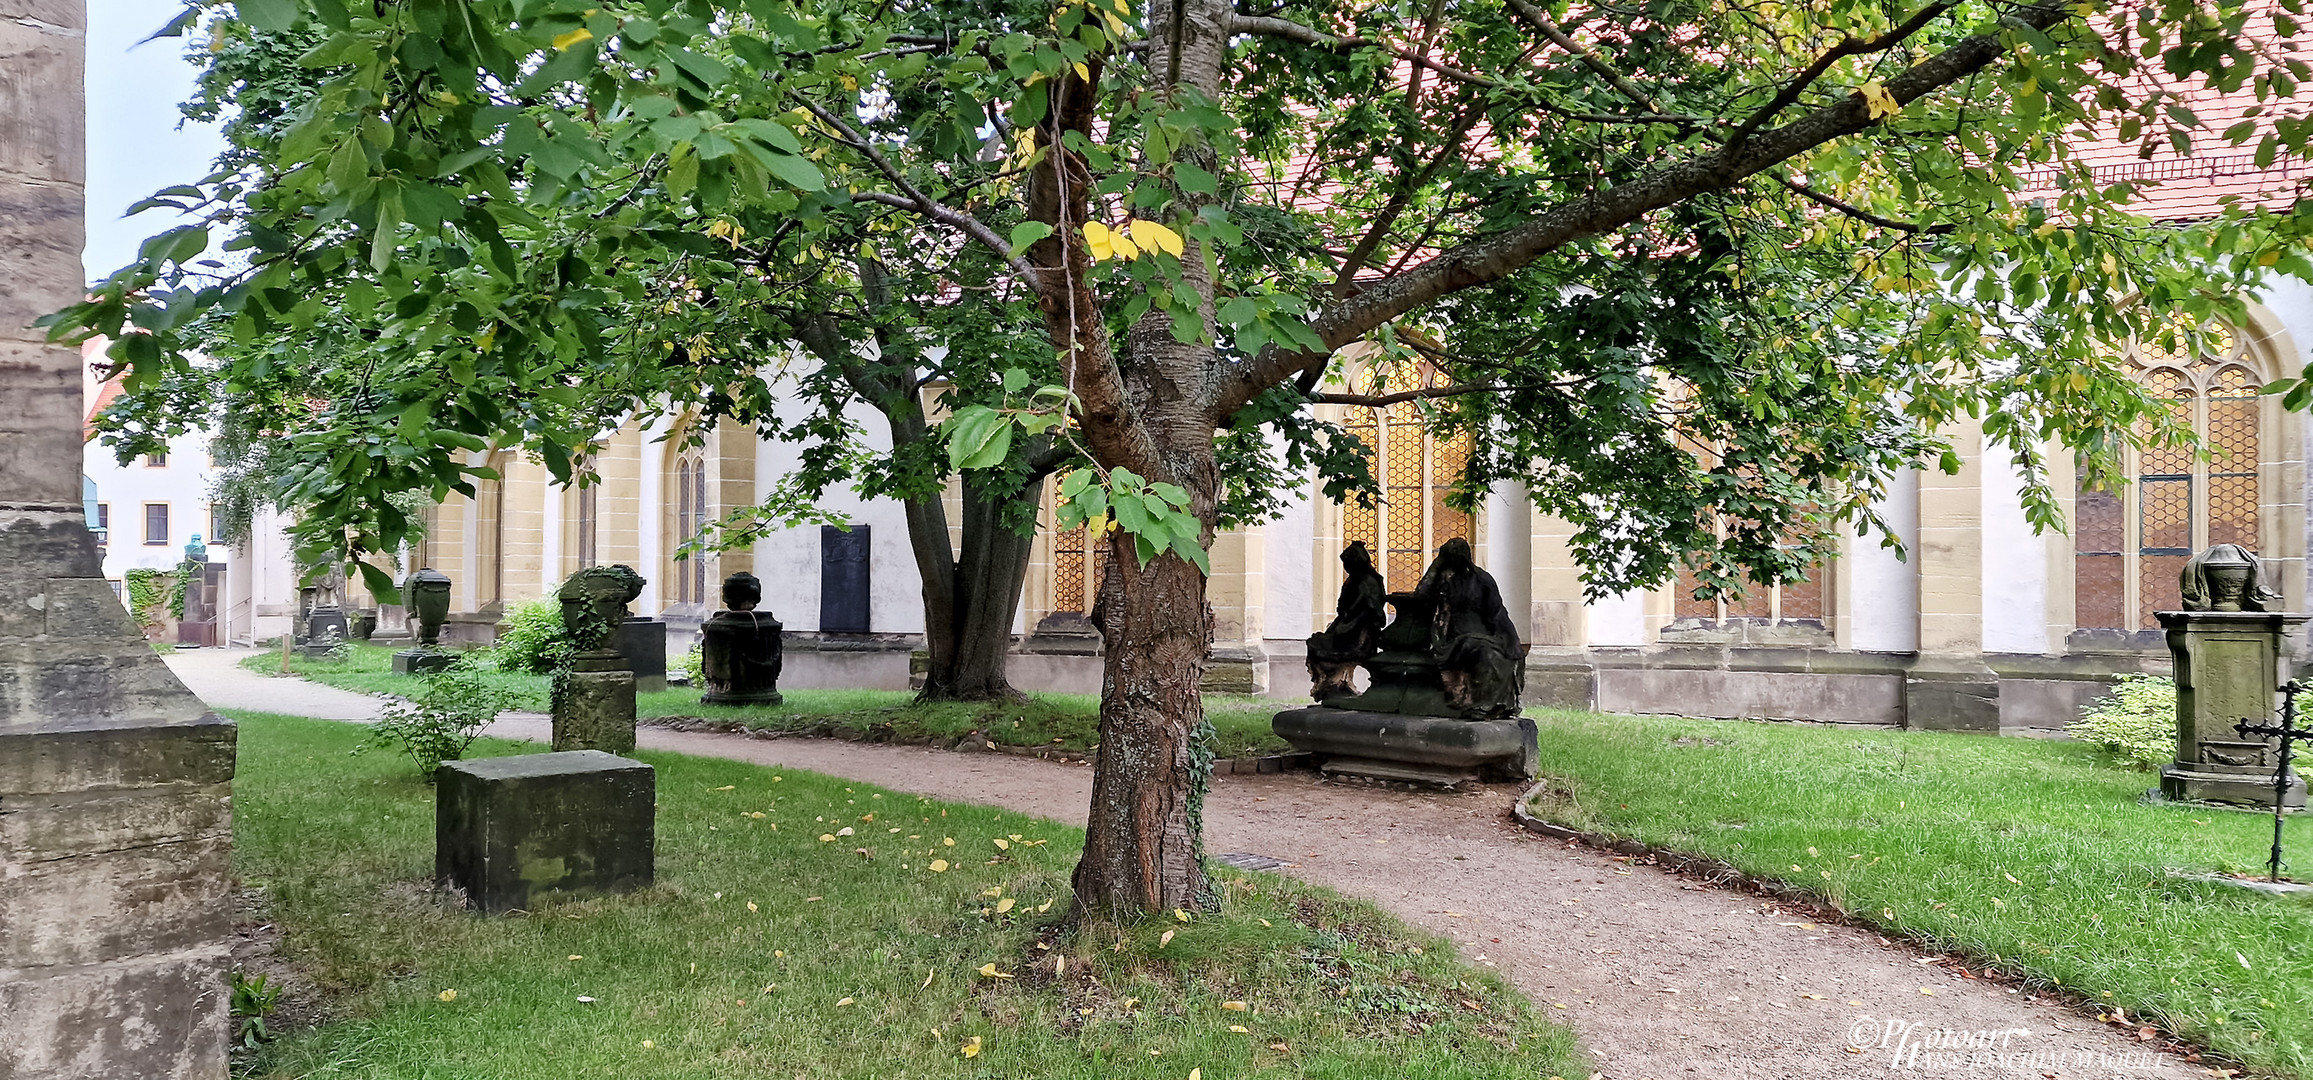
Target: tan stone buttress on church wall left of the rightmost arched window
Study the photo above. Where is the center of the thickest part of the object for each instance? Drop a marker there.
(1949, 686)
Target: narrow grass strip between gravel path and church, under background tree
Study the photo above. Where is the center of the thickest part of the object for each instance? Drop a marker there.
(1047, 720)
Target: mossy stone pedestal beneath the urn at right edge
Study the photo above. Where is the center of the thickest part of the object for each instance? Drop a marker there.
(2229, 667)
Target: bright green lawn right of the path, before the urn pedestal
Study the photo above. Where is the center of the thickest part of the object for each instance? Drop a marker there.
(2034, 857)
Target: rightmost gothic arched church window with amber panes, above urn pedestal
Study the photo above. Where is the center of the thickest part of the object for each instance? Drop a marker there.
(2129, 547)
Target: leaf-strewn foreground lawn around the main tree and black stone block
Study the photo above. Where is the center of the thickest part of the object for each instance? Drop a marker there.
(774, 947)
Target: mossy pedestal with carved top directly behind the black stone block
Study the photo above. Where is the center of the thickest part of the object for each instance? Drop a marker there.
(593, 695)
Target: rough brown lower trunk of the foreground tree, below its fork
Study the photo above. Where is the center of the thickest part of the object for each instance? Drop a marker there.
(1144, 841)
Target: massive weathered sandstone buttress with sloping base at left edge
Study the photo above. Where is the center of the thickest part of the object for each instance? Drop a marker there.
(114, 781)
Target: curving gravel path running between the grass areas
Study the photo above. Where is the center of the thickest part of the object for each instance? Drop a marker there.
(1662, 979)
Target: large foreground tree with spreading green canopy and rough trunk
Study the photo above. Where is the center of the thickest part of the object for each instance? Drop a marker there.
(1699, 276)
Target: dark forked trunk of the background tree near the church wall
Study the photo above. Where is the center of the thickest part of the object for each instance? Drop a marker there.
(970, 635)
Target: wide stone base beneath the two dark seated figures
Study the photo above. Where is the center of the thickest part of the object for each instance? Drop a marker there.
(1417, 750)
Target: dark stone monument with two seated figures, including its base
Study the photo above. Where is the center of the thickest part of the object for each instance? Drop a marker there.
(1447, 681)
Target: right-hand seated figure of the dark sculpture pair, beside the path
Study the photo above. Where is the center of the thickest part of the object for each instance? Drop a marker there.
(1472, 635)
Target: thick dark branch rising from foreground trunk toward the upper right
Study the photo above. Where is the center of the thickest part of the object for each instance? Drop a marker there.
(1493, 258)
